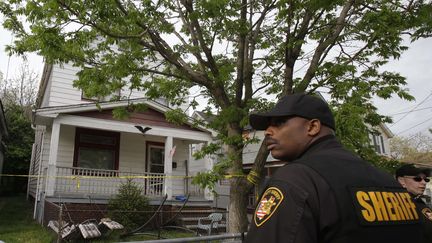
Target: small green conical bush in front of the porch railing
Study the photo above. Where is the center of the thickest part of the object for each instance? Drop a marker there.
(124, 207)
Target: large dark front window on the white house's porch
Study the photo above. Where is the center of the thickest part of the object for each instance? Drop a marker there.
(96, 149)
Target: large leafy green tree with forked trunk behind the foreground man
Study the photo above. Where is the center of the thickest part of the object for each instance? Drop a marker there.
(236, 53)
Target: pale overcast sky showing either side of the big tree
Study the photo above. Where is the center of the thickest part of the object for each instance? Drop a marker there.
(409, 117)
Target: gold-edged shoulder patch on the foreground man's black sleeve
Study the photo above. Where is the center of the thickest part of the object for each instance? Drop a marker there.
(270, 201)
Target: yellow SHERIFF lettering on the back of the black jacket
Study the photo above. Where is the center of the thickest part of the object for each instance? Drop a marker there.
(384, 206)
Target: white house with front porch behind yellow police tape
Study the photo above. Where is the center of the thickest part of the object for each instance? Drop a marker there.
(80, 150)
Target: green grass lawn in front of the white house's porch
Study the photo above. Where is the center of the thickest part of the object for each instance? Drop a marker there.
(17, 225)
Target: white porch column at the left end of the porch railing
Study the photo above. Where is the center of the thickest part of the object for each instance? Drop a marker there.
(52, 159)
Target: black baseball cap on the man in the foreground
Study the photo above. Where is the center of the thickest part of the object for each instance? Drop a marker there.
(302, 105)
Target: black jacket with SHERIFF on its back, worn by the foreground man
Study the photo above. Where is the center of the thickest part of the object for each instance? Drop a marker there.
(300, 206)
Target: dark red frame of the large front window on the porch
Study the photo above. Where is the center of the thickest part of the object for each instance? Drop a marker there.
(87, 131)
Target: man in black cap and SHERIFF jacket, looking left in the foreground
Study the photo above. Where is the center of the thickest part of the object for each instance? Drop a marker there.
(325, 193)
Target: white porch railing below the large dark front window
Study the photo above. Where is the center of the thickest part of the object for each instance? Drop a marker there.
(77, 180)
